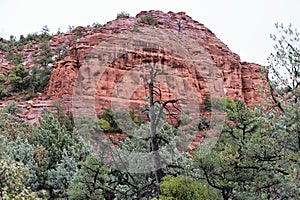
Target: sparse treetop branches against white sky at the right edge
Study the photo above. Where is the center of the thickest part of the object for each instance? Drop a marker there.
(284, 63)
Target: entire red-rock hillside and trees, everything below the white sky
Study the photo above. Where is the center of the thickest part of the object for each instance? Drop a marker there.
(147, 107)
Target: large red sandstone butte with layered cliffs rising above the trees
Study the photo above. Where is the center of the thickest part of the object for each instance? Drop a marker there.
(91, 73)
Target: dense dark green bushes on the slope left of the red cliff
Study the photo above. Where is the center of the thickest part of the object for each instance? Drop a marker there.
(21, 79)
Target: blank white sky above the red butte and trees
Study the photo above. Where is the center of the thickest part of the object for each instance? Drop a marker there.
(243, 25)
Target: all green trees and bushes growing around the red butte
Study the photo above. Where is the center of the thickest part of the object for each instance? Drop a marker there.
(256, 155)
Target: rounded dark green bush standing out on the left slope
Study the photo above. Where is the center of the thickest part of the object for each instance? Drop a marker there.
(19, 78)
